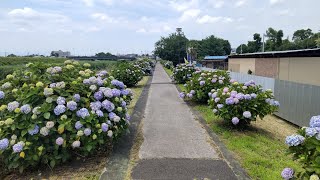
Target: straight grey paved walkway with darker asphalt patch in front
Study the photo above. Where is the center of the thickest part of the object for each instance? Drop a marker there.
(175, 145)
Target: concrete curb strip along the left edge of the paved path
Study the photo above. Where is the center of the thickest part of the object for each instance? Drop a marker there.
(118, 163)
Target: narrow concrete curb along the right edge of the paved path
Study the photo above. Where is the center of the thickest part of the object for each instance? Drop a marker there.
(231, 161)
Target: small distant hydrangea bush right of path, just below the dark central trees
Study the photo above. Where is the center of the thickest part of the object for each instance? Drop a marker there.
(183, 72)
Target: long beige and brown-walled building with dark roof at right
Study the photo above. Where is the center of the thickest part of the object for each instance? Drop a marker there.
(301, 66)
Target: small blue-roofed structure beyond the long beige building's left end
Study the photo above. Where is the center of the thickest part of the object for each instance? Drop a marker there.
(215, 62)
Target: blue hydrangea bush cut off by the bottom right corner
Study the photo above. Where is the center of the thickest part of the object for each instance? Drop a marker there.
(305, 148)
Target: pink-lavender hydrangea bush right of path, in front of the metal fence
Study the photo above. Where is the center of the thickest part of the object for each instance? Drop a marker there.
(241, 103)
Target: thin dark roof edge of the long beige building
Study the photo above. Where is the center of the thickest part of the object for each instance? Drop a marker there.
(273, 54)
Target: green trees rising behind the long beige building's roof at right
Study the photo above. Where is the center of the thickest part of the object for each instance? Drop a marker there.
(301, 39)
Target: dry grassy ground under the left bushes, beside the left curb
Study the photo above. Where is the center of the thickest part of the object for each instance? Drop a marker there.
(83, 168)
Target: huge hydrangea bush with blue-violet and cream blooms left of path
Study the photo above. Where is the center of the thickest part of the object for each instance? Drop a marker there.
(49, 114)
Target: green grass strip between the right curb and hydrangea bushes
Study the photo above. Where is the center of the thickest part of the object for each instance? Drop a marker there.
(261, 153)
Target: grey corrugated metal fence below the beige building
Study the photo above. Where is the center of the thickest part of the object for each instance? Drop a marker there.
(298, 102)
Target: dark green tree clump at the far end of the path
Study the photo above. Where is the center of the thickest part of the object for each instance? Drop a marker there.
(175, 47)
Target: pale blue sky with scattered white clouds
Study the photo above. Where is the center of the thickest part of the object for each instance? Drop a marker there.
(85, 27)
